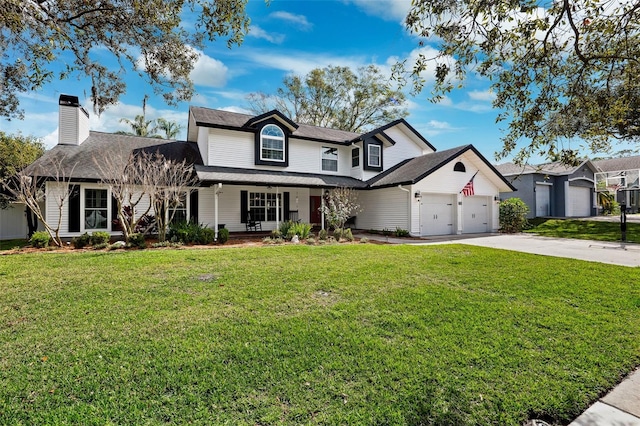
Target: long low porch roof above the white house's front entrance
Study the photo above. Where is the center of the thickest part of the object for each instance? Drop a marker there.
(236, 176)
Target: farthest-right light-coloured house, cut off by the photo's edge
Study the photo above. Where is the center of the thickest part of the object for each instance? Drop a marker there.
(623, 174)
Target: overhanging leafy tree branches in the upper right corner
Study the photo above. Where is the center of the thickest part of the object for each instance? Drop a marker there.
(564, 70)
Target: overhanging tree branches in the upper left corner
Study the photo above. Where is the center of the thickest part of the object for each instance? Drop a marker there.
(150, 37)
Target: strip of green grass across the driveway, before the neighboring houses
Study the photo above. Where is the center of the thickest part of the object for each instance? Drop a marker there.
(584, 229)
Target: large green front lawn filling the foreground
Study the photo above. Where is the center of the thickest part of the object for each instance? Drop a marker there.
(358, 334)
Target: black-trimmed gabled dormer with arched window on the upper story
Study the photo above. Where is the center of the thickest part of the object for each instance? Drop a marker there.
(271, 143)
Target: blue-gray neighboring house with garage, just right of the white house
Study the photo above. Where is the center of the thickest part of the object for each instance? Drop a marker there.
(553, 189)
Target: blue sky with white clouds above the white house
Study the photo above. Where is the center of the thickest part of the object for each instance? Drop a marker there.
(290, 37)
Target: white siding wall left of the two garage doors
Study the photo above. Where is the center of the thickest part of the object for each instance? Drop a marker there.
(383, 208)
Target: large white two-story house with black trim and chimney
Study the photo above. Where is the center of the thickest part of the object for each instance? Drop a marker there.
(267, 168)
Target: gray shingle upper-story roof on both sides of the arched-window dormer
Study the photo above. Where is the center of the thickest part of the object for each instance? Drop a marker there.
(225, 119)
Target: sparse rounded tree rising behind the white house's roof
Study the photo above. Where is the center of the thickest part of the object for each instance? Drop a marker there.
(336, 97)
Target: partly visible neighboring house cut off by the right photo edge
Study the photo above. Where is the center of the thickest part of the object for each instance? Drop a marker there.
(629, 169)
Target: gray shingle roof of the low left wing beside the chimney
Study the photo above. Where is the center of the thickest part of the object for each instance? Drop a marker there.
(82, 162)
